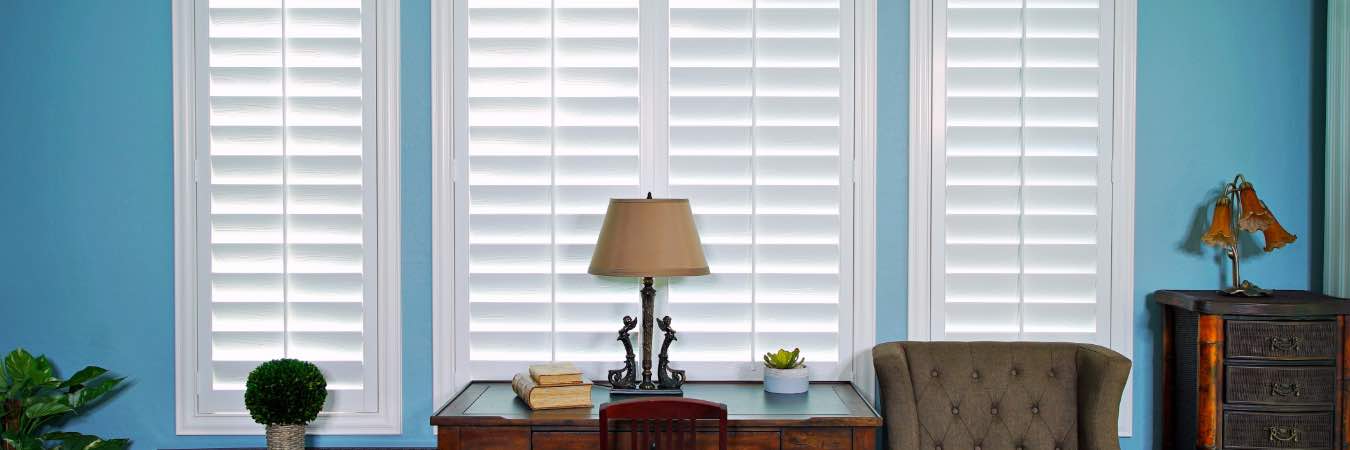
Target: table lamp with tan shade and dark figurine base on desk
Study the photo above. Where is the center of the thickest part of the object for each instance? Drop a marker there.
(647, 239)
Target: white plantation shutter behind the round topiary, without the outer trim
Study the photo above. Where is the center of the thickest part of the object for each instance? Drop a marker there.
(287, 197)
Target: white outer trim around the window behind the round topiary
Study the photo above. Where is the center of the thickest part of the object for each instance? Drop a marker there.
(389, 417)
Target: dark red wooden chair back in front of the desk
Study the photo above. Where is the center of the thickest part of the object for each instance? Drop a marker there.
(670, 424)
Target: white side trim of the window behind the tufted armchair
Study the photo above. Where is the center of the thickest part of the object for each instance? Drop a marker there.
(1123, 179)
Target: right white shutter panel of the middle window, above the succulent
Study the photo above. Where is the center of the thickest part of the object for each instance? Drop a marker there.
(755, 124)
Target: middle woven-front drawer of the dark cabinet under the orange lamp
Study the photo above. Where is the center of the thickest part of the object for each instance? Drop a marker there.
(1282, 386)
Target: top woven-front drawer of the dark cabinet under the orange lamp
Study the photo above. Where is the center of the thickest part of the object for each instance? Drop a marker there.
(1282, 340)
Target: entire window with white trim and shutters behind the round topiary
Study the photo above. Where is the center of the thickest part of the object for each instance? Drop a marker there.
(287, 206)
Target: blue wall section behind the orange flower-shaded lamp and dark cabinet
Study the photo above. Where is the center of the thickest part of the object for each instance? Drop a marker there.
(1224, 87)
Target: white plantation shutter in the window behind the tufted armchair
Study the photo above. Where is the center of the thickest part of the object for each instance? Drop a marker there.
(1021, 171)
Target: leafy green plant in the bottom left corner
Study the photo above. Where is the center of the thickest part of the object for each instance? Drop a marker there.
(36, 399)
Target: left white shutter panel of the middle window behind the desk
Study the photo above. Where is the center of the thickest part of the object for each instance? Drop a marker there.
(553, 136)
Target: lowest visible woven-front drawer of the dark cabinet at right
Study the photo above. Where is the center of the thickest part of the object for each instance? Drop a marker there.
(1275, 430)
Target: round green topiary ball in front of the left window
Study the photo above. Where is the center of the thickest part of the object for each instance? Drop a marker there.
(286, 393)
